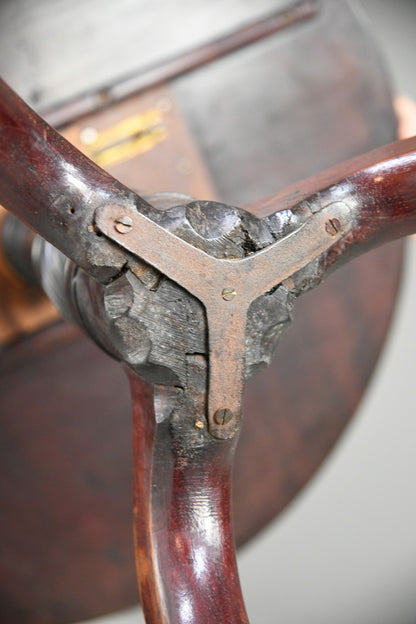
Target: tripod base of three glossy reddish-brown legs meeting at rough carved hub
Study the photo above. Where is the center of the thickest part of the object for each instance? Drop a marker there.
(181, 296)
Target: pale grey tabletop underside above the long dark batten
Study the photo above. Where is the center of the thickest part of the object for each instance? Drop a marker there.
(102, 43)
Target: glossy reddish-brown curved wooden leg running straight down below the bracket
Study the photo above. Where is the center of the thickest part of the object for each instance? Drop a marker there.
(184, 543)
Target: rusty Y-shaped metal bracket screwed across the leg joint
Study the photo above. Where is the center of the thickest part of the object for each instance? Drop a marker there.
(225, 287)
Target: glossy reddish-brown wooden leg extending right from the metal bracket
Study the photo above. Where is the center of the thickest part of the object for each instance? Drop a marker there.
(380, 187)
